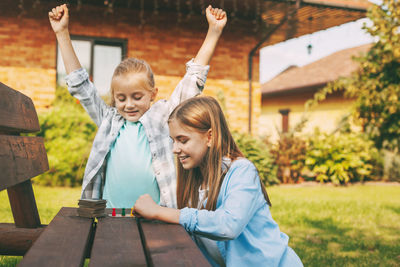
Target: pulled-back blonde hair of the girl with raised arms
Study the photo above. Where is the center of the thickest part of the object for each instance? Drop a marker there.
(133, 65)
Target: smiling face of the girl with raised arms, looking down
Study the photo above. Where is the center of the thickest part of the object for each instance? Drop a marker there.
(131, 97)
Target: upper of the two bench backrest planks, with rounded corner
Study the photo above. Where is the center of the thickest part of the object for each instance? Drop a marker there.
(17, 112)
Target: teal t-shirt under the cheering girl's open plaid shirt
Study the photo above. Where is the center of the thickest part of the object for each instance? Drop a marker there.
(129, 172)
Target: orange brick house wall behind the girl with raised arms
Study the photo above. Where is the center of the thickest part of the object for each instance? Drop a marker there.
(28, 52)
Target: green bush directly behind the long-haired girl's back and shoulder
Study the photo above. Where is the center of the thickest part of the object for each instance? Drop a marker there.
(258, 152)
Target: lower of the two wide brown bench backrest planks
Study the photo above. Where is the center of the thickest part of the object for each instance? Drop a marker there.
(21, 158)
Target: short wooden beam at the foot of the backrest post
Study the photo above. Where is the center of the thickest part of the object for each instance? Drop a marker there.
(16, 241)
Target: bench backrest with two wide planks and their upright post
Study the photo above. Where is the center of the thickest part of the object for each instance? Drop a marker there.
(21, 157)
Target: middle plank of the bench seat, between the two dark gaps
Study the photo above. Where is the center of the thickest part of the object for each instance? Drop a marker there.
(117, 243)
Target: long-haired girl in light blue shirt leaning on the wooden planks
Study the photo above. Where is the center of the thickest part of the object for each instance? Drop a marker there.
(221, 200)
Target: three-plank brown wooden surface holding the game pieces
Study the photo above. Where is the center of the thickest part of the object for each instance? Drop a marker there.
(112, 241)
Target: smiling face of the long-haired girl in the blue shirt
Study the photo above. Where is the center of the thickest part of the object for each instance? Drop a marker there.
(190, 145)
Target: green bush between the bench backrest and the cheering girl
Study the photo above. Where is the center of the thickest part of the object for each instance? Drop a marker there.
(68, 133)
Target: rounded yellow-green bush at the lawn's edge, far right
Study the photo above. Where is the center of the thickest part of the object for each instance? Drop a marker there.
(341, 158)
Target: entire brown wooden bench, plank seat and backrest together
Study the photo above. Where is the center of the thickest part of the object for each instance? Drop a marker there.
(69, 239)
